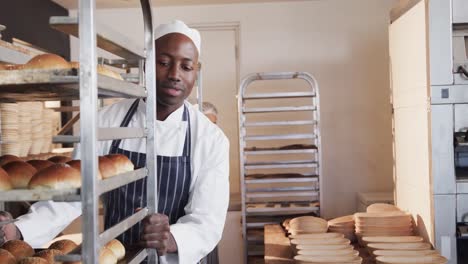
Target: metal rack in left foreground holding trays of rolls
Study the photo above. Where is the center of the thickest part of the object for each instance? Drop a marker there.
(87, 86)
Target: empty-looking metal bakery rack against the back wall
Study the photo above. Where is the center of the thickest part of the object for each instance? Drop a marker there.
(279, 152)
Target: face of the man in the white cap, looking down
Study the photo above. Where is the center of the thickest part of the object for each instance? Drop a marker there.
(176, 69)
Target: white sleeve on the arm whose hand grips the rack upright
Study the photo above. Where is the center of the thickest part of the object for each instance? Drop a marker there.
(200, 230)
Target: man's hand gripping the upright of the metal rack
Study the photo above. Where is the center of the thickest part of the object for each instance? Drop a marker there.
(156, 234)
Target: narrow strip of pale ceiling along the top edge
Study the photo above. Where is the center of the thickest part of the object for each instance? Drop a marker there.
(73, 4)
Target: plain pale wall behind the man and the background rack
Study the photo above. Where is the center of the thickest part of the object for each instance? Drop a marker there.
(344, 44)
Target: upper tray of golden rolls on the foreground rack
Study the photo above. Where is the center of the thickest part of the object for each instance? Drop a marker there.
(50, 77)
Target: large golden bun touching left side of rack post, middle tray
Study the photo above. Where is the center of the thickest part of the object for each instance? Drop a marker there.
(58, 176)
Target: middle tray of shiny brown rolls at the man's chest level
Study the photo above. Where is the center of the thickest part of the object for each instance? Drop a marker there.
(57, 178)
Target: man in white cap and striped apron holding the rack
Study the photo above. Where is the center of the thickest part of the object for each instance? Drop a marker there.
(192, 163)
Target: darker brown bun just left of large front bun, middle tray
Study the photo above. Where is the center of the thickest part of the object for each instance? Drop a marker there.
(20, 173)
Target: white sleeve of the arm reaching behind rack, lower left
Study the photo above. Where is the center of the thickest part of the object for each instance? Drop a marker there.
(46, 220)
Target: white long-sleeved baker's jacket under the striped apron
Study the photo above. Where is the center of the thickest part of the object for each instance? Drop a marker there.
(196, 233)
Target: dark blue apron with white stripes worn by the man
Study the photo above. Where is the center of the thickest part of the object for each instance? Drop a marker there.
(174, 176)
